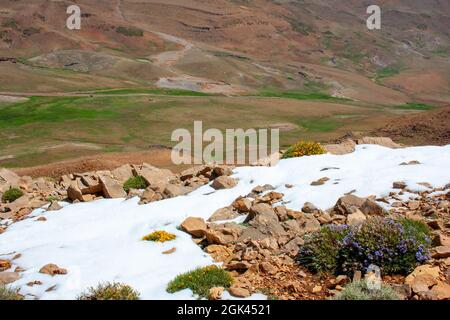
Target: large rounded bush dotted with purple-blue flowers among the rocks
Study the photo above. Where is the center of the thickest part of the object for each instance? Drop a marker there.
(396, 246)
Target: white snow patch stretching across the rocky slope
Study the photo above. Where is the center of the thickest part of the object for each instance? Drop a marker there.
(101, 241)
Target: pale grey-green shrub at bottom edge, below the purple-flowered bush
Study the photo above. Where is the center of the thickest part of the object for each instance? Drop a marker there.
(360, 291)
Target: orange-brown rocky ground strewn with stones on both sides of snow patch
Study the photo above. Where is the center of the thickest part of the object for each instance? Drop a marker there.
(259, 249)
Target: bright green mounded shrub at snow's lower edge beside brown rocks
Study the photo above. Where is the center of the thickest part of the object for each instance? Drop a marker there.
(201, 280)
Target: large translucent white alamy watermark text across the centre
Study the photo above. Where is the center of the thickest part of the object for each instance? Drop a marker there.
(233, 146)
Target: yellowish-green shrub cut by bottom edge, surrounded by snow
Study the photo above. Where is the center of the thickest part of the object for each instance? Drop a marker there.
(110, 291)
